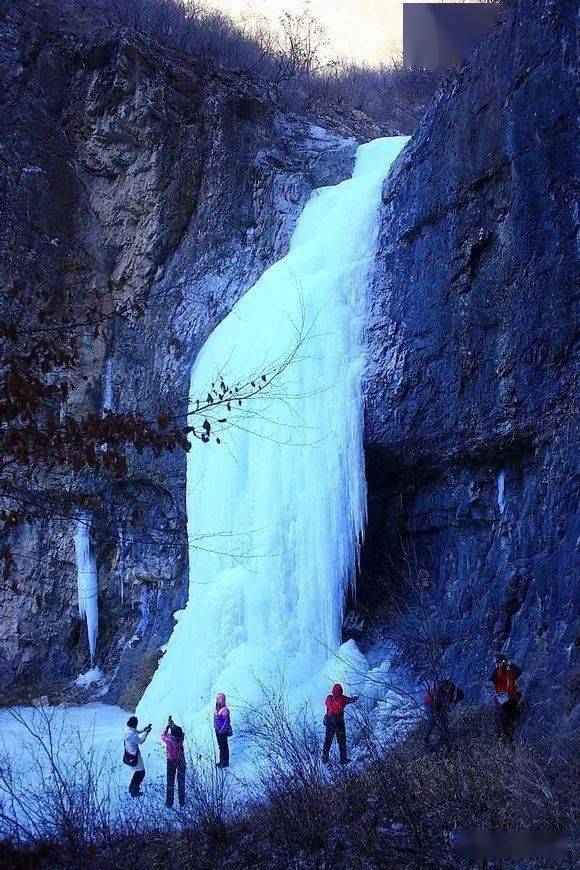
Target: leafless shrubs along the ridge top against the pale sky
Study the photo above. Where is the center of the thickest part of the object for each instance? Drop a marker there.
(293, 57)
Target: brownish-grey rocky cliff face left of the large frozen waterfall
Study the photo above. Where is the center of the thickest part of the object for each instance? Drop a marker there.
(148, 175)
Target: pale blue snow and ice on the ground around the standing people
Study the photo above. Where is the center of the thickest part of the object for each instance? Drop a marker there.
(39, 745)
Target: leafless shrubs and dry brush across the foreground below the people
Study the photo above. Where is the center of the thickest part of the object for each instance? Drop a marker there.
(402, 808)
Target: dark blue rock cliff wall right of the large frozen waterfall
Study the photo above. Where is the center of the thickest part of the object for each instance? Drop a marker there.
(470, 388)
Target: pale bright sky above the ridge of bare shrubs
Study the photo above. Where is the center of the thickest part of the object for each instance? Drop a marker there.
(364, 31)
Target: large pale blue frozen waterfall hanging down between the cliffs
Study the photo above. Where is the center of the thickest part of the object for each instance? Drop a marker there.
(276, 512)
